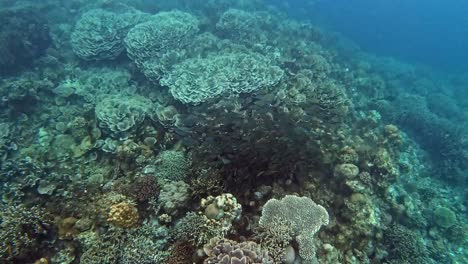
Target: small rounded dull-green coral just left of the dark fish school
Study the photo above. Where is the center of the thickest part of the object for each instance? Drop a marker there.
(172, 165)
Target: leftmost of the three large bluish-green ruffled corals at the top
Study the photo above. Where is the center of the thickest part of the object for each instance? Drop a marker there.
(99, 33)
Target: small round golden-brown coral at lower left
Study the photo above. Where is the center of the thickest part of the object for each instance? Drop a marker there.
(124, 215)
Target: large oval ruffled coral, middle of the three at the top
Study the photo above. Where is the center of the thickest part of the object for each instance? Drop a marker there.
(165, 31)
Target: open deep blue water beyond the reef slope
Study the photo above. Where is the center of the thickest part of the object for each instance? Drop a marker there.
(429, 32)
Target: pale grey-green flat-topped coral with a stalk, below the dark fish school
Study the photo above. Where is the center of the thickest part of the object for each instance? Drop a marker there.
(302, 215)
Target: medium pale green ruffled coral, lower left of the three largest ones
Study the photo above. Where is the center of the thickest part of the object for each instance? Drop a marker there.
(121, 116)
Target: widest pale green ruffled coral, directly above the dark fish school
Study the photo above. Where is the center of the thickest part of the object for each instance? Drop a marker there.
(200, 79)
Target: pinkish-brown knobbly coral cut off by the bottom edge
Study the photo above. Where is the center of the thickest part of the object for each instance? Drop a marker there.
(230, 252)
